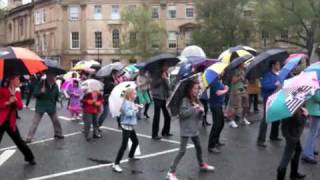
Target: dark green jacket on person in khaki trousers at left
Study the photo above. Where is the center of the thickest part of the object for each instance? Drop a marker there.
(46, 102)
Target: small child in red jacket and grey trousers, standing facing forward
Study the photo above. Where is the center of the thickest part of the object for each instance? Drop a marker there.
(91, 102)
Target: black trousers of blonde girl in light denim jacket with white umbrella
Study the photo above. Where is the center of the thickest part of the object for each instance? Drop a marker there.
(126, 134)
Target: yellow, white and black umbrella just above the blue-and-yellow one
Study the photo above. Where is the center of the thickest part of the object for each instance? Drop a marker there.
(238, 51)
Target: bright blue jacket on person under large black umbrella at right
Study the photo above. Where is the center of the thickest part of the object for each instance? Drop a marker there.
(268, 84)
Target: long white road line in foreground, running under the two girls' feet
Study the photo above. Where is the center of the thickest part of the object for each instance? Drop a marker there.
(50, 176)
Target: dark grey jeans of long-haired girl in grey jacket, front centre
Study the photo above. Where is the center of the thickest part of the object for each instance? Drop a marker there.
(182, 151)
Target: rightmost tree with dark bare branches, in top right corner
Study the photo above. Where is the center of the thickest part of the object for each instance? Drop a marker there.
(300, 18)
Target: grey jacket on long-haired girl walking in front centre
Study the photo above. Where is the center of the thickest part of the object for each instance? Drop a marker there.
(190, 119)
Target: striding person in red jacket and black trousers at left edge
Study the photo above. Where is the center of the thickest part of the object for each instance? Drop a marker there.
(10, 102)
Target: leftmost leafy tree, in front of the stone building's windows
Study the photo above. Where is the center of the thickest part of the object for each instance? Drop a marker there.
(141, 35)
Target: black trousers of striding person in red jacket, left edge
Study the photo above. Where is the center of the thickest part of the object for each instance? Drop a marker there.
(15, 136)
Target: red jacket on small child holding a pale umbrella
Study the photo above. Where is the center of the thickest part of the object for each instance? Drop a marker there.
(90, 105)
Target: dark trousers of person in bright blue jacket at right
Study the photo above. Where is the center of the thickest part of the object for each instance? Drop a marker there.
(264, 126)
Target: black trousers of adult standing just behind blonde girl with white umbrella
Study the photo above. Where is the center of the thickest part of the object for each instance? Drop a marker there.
(160, 105)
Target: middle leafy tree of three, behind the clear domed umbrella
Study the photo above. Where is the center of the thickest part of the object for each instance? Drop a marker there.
(222, 24)
